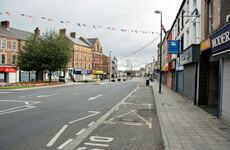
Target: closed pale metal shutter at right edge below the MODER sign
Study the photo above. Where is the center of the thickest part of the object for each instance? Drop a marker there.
(226, 94)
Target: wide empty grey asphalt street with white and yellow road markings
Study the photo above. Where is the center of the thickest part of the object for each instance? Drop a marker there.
(80, 116)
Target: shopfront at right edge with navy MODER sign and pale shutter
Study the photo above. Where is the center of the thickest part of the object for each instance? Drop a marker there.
(220, 48)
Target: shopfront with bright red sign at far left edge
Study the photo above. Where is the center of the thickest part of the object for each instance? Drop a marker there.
(8, 74)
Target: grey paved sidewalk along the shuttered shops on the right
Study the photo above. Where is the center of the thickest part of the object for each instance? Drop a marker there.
(186, 126)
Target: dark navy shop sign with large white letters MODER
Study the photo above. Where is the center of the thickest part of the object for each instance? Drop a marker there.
(221, 40)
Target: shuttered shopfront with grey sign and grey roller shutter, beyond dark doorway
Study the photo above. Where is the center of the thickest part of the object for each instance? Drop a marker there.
(189, 58)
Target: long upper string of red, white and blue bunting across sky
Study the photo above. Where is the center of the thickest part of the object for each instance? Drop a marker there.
(79, 24)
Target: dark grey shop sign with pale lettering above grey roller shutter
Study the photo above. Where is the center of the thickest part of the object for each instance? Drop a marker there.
(191, 54)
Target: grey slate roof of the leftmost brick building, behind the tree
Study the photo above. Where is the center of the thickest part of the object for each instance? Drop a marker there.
(15, 33)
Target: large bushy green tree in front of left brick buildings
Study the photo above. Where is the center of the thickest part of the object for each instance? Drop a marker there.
(49, 52)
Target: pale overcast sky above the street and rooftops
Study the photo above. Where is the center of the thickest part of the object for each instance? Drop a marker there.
(119, 14)
